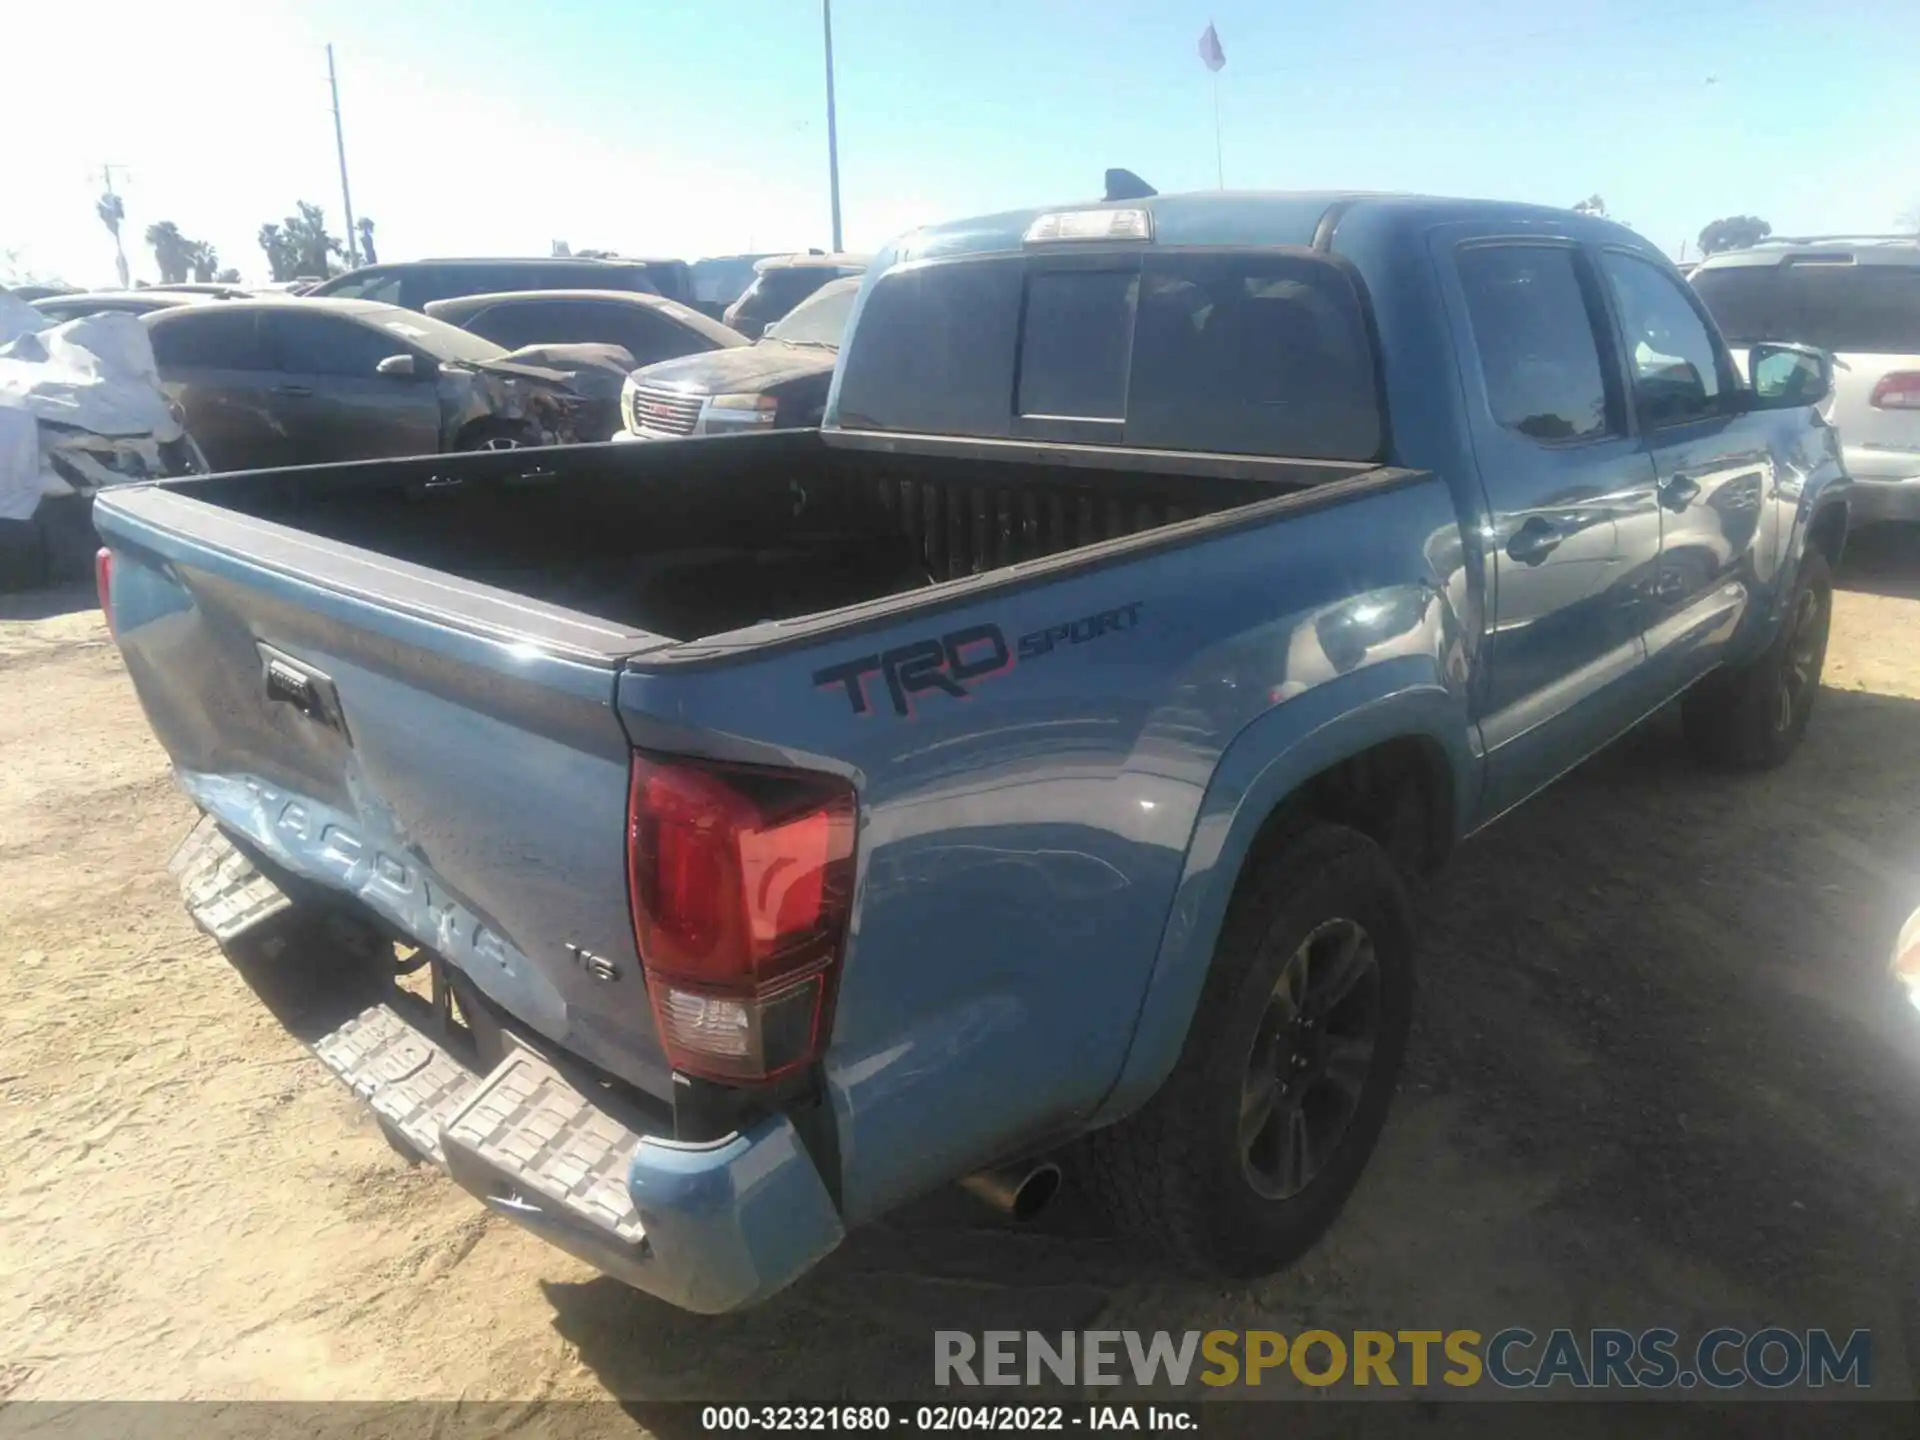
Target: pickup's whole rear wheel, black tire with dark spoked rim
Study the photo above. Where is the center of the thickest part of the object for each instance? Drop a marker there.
(1260, 1134)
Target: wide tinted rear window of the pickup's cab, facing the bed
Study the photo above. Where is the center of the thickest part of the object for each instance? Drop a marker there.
(1211, 350)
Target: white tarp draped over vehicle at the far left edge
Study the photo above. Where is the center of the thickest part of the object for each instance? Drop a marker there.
(95, 375)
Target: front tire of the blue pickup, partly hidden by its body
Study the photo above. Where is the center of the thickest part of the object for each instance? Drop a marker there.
(1754, 717)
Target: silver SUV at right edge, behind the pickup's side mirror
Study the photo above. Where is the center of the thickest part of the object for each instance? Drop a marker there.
(1860, 299)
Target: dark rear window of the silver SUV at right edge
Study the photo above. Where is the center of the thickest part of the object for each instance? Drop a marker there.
(1835, 304)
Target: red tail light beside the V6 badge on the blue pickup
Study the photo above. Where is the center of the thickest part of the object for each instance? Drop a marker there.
(742, 888)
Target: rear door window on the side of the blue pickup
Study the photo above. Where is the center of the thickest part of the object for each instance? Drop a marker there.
(1533, 331)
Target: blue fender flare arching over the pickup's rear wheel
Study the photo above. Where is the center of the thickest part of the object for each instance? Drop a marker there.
(1264, 765)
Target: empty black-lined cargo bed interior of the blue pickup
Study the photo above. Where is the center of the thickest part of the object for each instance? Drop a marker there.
(688, 540)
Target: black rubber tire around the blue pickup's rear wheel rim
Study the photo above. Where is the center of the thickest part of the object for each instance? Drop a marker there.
(1178, 1176)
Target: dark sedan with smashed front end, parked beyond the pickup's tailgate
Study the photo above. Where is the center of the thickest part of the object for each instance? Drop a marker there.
(274, 383)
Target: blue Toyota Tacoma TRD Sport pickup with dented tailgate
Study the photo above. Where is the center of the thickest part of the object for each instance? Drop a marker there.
(1032, 759)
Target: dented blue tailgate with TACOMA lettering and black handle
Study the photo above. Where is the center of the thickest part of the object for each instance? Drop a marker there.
(443, 752)
